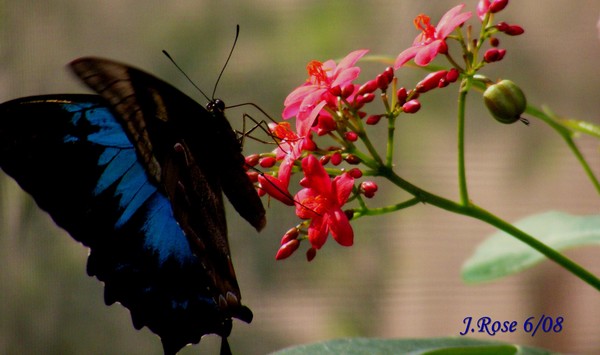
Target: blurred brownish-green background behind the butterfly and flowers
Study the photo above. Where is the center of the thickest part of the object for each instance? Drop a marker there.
(401, 278)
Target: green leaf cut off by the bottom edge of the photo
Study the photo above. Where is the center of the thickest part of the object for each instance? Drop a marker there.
(426, 346)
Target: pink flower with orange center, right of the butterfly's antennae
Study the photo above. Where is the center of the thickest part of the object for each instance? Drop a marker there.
(306, 101)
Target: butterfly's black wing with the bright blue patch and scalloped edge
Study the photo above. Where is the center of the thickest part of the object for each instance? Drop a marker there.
(72, 155)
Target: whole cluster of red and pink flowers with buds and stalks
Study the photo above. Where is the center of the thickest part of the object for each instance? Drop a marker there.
(330, 103)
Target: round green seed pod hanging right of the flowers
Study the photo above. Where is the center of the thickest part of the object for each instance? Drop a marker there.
(506, 101)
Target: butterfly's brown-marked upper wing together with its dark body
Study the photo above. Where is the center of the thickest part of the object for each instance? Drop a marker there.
(157, 116)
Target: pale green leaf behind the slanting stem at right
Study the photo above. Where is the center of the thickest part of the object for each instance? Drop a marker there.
(501, 254)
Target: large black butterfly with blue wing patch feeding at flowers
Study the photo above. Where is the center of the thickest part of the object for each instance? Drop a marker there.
(137, 174)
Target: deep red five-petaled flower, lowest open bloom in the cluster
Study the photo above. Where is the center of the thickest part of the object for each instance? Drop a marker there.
(321, 201)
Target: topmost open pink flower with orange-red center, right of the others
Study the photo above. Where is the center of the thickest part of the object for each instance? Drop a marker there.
(432, 40)
